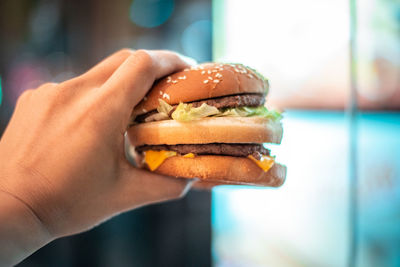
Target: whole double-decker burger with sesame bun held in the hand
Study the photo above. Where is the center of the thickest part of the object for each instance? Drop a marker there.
(209, 122)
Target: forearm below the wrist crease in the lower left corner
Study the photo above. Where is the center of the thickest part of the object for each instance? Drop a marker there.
(21, 232)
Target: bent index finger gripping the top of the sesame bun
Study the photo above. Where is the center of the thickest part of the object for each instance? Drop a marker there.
(136, 75)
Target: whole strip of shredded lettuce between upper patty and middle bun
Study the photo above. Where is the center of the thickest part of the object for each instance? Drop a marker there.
(186, 112)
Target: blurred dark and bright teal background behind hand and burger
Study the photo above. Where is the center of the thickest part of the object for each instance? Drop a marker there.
(303, 47)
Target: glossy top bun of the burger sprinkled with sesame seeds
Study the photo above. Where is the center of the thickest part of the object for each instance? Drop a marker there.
(203, 81)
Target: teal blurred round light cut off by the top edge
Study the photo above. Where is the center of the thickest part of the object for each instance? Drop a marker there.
(151, 13)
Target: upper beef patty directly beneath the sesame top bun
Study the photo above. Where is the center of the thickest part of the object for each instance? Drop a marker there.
(248, 100)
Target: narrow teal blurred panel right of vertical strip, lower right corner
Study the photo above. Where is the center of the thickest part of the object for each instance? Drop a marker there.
(379, 173)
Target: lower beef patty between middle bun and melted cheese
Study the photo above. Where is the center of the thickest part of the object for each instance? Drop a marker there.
(236, 150)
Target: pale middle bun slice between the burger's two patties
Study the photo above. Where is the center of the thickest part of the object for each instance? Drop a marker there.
(207, 130)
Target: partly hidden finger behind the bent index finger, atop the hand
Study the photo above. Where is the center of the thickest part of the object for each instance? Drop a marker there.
(100, 73)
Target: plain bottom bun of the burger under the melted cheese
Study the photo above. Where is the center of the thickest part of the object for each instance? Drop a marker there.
(223, 170)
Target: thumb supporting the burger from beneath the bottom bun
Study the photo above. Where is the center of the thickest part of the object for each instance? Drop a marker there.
(136, 187)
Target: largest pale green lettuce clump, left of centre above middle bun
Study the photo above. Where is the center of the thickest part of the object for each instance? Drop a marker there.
(186, 112)
